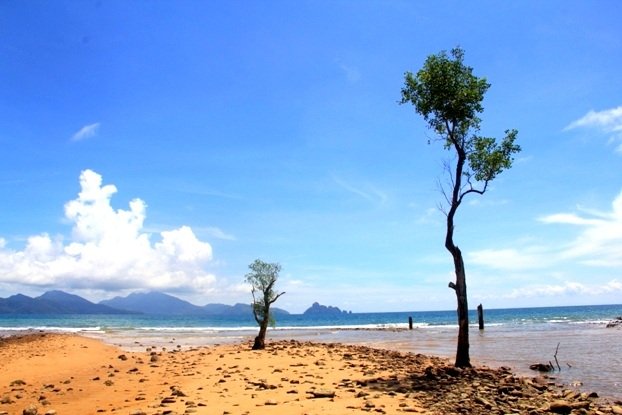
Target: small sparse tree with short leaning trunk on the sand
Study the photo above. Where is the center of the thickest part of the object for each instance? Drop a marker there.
(262, 280)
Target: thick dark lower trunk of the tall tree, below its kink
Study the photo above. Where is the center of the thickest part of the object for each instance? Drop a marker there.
(462, 352)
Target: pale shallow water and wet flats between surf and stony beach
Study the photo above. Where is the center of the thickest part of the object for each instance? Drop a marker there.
(582, 352)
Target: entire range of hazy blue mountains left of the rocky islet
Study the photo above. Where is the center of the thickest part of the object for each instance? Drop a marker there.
(59, 302)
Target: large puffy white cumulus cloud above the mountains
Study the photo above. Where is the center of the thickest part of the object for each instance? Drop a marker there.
(108, 249)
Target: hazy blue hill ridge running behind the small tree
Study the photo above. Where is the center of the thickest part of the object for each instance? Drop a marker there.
(159, 303)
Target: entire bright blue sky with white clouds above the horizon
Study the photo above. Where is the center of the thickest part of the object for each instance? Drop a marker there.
(166, 145)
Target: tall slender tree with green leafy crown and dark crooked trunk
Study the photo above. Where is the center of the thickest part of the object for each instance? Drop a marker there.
(449, 97)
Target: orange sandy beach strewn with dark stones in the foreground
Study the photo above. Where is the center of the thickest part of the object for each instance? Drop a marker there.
(47, 373)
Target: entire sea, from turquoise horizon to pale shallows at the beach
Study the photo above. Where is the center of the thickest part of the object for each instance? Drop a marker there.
(589, 354)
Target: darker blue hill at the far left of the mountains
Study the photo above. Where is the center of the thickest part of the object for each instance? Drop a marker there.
(53, 302)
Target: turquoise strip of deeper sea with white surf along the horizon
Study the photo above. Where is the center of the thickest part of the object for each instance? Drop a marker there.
(517, 317)
